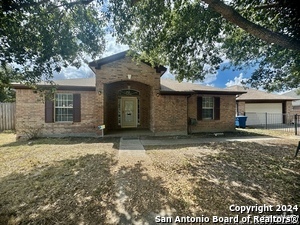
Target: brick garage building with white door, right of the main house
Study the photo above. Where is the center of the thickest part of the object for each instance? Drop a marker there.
(261, 107)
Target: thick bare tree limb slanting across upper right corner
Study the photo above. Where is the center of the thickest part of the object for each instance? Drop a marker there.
(260, 32)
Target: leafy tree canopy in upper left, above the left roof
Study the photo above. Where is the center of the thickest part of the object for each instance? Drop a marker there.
(38, 37)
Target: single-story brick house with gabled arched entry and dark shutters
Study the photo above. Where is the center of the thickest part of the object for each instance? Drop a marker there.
(125, 94)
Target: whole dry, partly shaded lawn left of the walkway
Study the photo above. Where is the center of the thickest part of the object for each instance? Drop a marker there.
(56, 181)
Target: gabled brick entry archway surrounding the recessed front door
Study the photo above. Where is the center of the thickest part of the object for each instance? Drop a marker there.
(117, 72)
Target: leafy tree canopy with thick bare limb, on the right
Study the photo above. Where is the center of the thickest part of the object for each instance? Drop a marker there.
(194, 37)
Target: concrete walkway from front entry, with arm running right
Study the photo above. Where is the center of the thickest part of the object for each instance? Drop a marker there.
(131, 153)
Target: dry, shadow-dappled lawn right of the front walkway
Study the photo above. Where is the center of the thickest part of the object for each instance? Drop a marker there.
(208, 178)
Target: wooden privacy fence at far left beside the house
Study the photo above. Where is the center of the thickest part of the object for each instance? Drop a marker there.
(7, 116)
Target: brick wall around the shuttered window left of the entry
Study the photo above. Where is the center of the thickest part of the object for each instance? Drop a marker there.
(30, 114)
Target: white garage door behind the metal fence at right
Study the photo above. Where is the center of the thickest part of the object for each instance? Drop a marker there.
(256, 113)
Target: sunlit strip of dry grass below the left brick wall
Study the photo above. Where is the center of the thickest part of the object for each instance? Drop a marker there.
(23, 156)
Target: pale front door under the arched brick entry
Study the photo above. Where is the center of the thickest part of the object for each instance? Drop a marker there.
(129, 112)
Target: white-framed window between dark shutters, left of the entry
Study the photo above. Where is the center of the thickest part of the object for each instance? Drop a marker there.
(63, 107)
